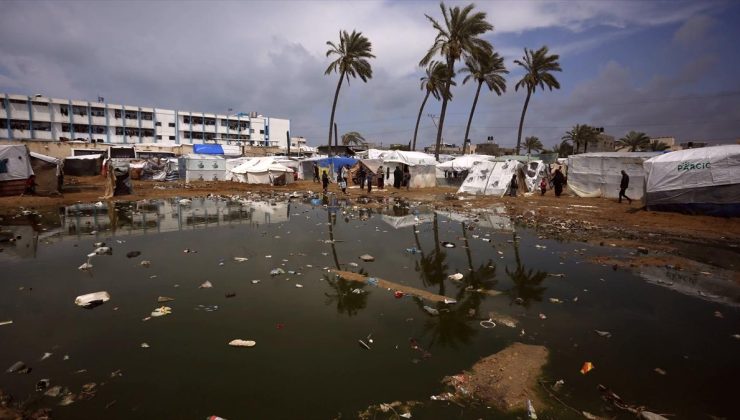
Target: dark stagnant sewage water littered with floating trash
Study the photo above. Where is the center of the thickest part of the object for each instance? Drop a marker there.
(307, 362)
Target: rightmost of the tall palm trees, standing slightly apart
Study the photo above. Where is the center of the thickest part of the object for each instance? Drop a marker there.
(538, 68)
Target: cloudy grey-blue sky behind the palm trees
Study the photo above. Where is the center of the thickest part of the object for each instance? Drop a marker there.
(668, 68)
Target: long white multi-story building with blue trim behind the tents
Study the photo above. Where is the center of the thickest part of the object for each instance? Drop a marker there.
(41, 118)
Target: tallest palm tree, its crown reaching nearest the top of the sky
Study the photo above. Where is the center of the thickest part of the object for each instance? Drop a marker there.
(457, 37)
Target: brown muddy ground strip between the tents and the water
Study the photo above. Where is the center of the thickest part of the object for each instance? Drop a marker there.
(657, 238)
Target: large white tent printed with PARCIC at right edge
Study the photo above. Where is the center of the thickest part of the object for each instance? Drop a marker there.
(704, 180)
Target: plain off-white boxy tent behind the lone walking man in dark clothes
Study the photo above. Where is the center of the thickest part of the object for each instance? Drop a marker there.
(599, 174)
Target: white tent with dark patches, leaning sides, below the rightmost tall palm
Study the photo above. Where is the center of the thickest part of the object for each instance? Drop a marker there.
(493, 178)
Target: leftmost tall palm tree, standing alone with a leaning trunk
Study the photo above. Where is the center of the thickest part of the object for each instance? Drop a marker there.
(353, 53)
